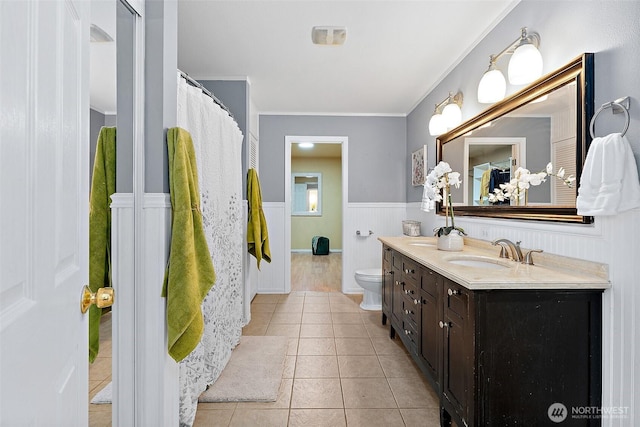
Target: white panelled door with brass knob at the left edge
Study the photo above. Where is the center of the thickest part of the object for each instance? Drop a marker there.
(44, 108)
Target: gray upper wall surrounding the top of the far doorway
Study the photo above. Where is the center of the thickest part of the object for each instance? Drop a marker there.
(377, 152)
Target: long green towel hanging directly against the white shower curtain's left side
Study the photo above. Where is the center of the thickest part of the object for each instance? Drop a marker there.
(190, 274)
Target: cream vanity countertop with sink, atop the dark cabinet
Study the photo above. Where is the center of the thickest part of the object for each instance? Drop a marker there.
(549, 272)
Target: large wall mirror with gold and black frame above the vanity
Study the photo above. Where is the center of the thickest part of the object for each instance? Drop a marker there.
(547, 121)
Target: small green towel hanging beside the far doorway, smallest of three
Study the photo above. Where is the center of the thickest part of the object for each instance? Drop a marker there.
(257, 233)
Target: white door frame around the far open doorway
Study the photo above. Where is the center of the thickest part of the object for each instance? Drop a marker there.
(288, 141)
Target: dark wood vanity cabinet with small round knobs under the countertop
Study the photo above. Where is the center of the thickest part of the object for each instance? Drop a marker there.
(497, 357)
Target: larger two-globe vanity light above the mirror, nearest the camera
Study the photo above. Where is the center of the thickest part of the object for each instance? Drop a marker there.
(525, 66)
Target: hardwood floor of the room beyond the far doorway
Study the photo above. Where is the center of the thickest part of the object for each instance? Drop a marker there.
(321, 273)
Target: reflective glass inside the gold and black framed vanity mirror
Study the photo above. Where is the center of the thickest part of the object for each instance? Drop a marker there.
(531, 136)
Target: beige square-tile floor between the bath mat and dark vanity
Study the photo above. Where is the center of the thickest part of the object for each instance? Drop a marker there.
(341, 369)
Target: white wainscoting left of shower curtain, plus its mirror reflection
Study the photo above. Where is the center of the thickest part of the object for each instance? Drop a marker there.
(139, 316)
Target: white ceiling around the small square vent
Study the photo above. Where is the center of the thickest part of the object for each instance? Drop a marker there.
(396, 51)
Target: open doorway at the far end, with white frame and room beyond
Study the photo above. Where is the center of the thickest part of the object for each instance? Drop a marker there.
(325, 200)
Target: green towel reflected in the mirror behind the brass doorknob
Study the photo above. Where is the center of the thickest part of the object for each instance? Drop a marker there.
(103, 185)
